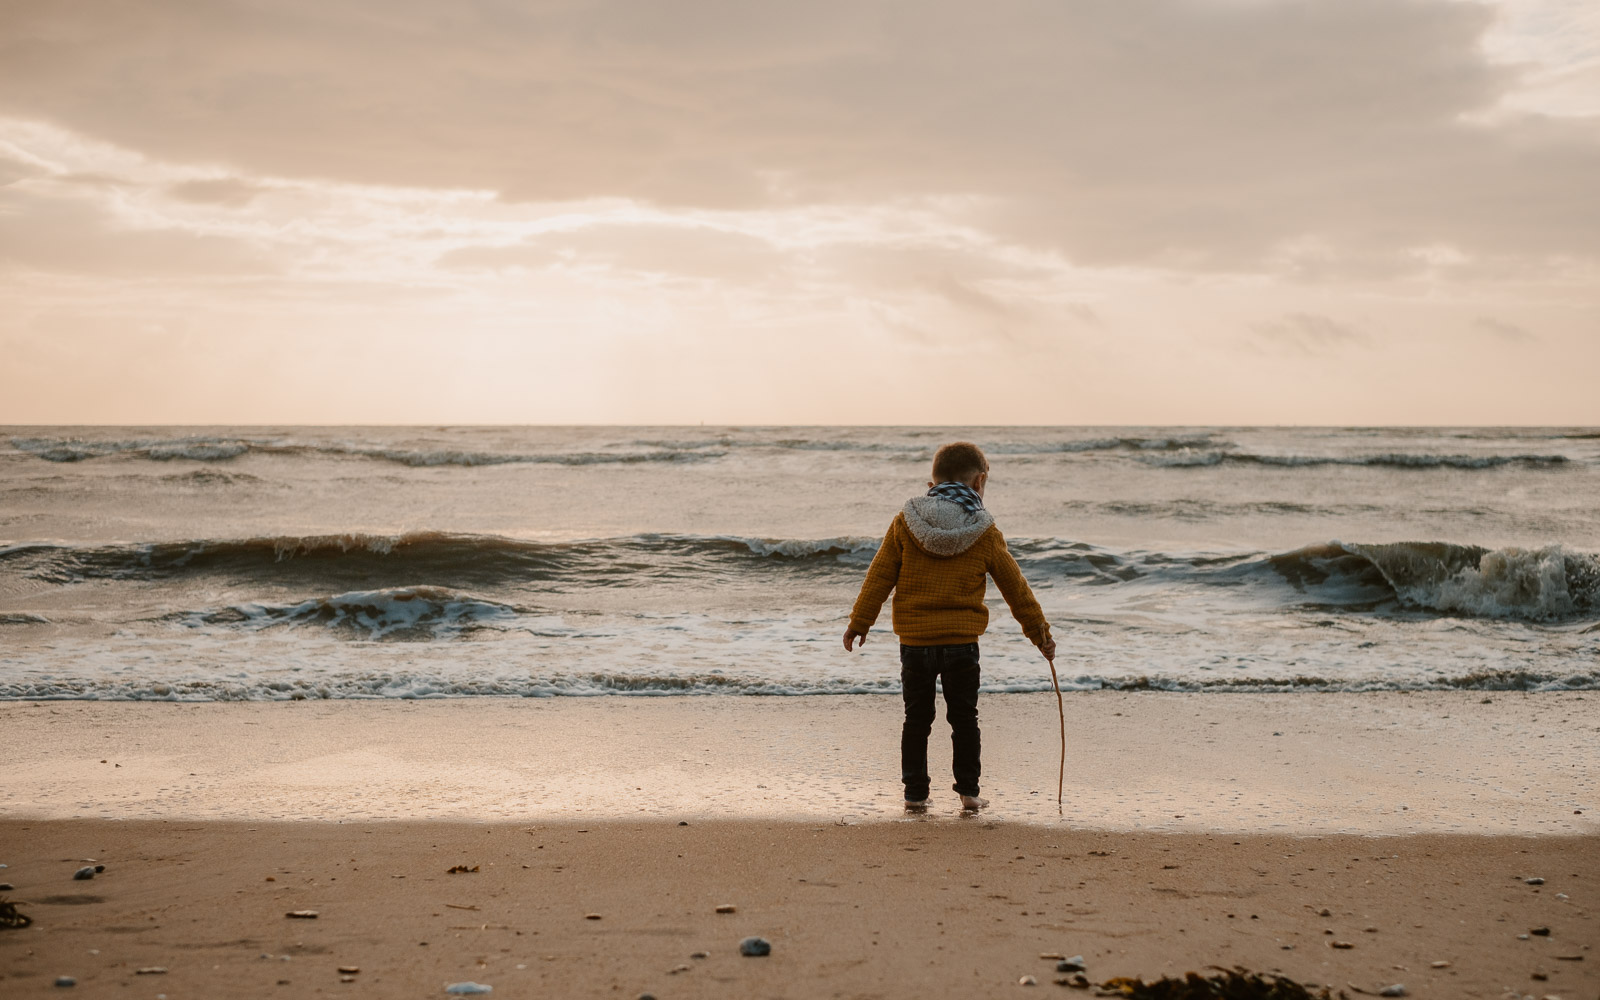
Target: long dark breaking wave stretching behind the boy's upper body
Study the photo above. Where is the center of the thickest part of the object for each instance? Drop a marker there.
(1540, 585)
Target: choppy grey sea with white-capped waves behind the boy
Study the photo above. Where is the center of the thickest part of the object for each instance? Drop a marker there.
(225, 564)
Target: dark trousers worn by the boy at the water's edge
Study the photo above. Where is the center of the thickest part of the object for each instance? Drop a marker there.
(958, 666)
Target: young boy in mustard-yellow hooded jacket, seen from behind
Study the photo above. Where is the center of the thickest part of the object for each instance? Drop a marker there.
(935, 559)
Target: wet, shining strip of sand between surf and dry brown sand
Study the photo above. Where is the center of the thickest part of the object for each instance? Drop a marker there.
(1390, 764)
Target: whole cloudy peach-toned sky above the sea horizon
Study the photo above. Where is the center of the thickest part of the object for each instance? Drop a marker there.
(836, 212)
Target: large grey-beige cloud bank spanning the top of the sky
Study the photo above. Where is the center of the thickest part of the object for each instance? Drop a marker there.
(1186, 135)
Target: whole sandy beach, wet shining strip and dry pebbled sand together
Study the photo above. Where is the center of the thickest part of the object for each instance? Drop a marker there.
(1199, 831)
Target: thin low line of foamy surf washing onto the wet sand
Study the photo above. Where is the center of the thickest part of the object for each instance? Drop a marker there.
(604, 684)
